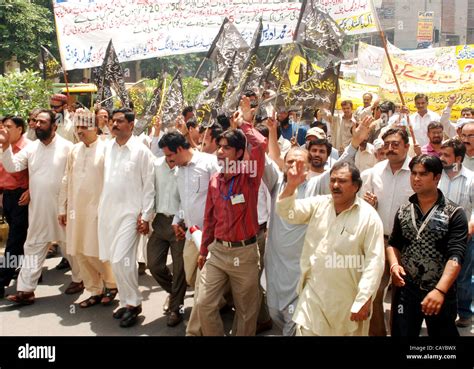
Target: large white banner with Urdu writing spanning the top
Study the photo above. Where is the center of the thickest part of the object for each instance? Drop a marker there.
(142, 29)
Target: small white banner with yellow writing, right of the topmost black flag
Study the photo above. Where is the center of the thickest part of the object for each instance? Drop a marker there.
(353, 16)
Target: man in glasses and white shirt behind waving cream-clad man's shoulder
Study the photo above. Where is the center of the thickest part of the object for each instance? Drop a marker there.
(386, 188)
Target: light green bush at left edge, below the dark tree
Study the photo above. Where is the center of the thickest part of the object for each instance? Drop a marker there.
(22, 92)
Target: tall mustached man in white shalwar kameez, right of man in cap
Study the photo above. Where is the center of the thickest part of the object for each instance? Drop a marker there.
(125, 210)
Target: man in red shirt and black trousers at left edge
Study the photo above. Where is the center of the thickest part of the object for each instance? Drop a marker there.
(15, 200)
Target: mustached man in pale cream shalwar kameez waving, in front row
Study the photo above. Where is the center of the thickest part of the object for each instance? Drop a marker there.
(343, 254)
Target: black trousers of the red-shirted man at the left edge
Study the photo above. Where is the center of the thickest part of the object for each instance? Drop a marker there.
(17, 219)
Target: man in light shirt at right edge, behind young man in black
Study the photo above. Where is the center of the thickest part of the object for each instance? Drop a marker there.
(457, 184)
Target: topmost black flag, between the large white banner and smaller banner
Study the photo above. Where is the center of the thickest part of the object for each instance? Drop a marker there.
(317, 30)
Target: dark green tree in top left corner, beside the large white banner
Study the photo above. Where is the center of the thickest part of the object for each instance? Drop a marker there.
(24, 26)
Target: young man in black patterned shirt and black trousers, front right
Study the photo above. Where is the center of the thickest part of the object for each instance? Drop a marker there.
(426, 250)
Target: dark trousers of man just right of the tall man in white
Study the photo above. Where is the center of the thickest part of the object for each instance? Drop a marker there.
(161, 241)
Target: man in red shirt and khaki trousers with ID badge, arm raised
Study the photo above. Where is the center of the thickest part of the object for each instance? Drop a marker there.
(231, 220)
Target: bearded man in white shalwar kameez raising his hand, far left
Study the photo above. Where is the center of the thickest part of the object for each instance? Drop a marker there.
(45, 159)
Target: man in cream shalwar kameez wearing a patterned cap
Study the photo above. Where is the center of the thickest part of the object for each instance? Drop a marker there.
(78, 205)
